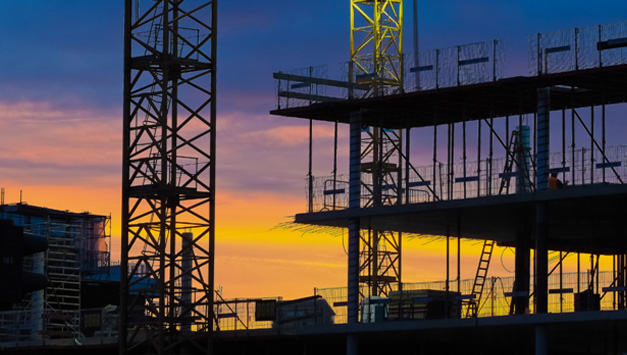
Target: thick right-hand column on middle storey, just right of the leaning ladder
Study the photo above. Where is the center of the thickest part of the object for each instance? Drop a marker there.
(542, 148)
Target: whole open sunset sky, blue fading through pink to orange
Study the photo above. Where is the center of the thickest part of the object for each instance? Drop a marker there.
(61, 119)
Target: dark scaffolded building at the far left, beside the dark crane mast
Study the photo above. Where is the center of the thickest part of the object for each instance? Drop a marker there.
(75, 265)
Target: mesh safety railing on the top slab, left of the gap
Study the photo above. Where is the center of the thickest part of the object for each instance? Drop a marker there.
(438, 68)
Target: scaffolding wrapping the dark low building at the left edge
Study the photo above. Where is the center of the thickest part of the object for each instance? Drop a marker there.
(78, 248)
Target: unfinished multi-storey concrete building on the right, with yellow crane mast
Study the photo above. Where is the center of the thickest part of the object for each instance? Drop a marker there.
(441, 143)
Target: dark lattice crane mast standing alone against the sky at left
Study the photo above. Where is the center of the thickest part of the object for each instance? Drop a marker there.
(169, 175)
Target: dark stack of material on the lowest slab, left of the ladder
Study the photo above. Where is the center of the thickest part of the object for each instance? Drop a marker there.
(424, 304)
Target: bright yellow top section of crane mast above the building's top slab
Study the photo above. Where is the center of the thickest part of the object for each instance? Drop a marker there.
(377, 45)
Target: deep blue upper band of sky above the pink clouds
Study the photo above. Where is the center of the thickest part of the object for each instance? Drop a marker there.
(70, 51)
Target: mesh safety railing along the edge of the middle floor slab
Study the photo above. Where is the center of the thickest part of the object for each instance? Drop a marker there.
(474, 179)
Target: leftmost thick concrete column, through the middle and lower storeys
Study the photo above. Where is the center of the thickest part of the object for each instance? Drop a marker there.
(354, 228)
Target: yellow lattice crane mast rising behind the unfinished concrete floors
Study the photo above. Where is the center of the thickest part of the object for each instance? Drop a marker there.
(376, 62)
